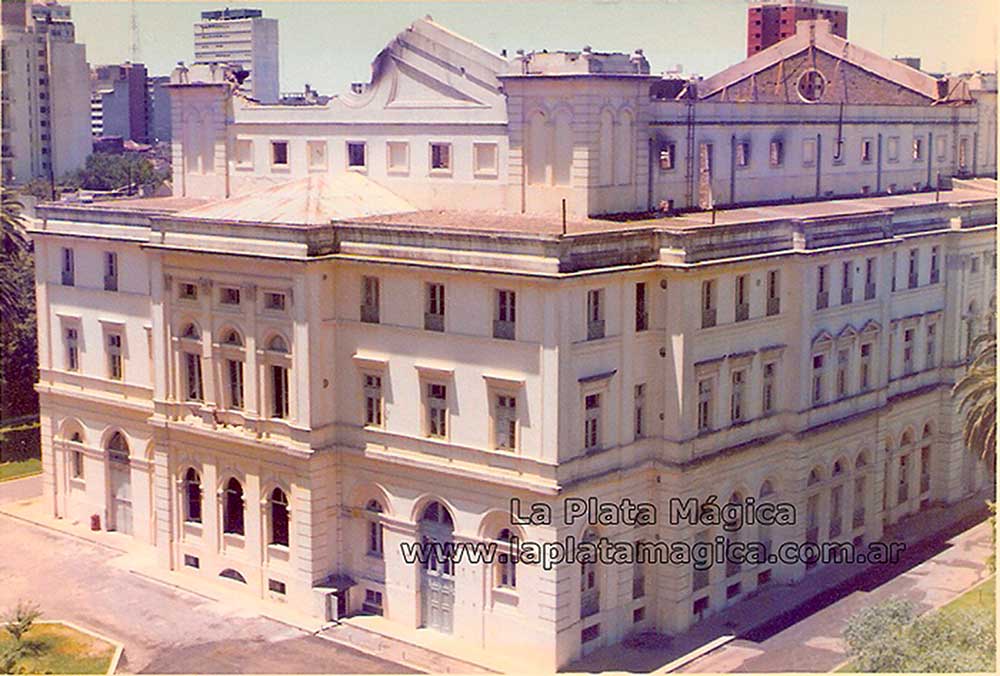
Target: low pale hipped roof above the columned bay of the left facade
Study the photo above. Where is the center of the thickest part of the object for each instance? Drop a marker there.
(311, 200)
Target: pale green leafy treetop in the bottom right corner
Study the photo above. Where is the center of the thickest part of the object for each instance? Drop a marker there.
(887, 638)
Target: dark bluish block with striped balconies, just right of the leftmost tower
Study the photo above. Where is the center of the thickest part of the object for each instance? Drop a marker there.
(119, 102)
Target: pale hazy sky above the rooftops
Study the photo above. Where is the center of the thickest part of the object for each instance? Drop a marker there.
(331, 43)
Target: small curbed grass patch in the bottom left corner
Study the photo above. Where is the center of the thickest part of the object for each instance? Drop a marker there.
(64, 650)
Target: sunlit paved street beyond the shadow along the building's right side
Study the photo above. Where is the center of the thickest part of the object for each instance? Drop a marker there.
(814, 644)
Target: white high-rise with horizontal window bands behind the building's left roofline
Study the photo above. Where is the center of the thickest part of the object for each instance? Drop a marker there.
(244, 38)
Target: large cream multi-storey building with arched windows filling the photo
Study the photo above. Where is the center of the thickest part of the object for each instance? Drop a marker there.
(366, 324)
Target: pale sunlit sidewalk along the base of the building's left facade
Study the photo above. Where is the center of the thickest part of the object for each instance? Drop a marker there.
(420, 650)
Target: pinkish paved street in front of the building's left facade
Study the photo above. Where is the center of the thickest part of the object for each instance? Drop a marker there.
(164, 630)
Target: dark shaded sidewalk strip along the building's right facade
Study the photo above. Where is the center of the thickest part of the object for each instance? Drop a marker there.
(762, 615)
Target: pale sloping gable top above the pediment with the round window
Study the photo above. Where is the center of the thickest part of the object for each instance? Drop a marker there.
(816, 33)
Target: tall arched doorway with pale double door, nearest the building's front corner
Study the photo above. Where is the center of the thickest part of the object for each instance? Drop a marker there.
(437, 575)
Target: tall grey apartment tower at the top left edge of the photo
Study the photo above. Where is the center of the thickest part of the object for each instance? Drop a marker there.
(46, 98)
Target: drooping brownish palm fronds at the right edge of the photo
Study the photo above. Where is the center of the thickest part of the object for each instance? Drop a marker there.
(979, 397)
